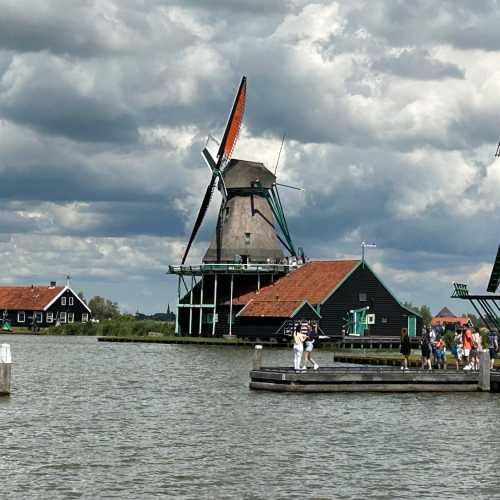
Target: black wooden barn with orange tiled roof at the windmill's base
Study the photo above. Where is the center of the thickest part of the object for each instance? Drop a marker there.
(321, 291)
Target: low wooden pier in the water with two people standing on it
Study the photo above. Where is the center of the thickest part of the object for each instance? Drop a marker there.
(372, 379)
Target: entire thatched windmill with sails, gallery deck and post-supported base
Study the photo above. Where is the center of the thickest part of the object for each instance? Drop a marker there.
(251, 234)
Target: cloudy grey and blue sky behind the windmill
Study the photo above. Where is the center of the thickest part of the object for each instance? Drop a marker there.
(391, 110)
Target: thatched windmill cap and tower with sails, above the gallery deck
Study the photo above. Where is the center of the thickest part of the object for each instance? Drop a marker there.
(251, 224)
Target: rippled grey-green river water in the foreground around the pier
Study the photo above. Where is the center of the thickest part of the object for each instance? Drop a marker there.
(102, 420)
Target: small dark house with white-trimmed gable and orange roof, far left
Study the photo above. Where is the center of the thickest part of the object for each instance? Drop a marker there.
(42, 306)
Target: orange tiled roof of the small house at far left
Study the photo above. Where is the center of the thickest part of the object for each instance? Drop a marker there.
(27, 297)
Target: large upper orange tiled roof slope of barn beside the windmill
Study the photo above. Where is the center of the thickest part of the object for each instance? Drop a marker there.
(312, 282)
